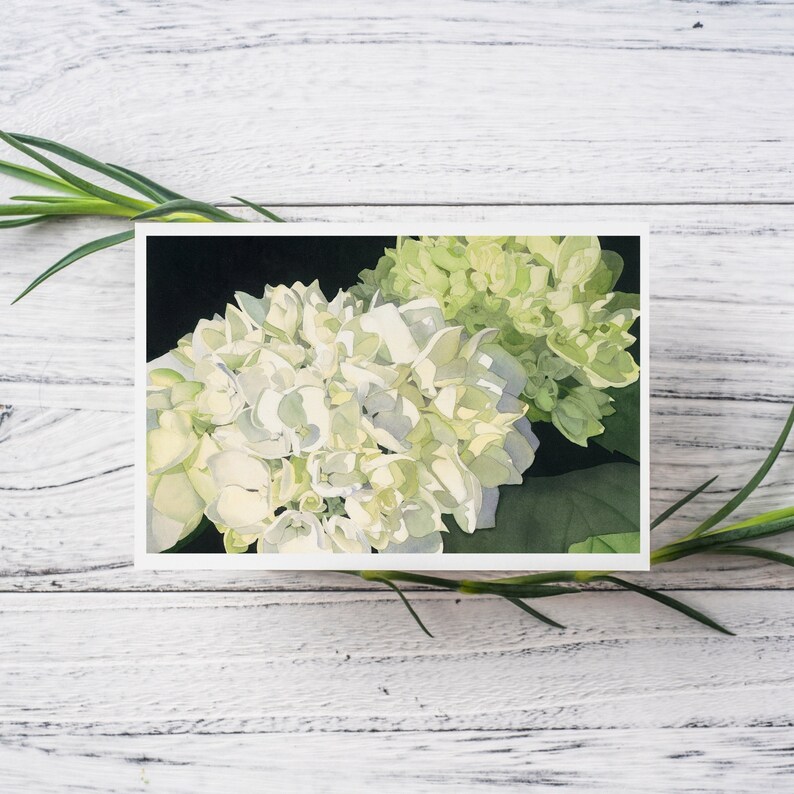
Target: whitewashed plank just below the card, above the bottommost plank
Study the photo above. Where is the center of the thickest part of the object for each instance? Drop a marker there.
(85, 665)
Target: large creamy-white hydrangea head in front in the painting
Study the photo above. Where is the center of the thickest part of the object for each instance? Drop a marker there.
(308, 425)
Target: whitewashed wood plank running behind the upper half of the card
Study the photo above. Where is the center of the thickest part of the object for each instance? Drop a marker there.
(722, 302)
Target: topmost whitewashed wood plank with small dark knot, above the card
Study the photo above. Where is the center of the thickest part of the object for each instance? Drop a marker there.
(411, 102)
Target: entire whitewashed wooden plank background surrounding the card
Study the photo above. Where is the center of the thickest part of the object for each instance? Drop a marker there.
(676, 113)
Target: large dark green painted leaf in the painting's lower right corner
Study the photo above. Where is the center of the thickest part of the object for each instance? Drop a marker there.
(548, 514)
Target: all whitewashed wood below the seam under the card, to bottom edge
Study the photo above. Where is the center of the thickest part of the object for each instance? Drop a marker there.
(202, 692)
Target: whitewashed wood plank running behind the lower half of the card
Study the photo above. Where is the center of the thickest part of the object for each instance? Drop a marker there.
(66, 500)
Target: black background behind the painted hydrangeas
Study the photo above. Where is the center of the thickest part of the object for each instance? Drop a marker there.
(189, 278)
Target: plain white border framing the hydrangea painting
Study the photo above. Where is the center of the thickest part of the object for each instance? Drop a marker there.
(457, 562)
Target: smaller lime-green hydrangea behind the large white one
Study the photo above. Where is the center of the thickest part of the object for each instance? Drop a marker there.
(552, 300)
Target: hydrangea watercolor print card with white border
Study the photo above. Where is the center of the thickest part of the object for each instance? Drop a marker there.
(348, 397)
